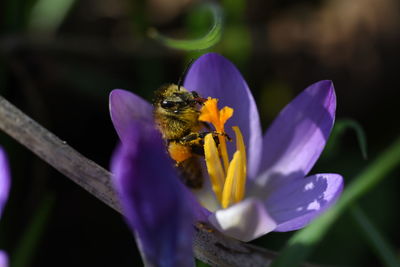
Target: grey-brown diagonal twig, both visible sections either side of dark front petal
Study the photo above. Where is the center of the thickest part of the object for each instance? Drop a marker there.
(210, 246)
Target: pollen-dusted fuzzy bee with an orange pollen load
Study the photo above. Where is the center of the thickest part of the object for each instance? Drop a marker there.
(176, 113)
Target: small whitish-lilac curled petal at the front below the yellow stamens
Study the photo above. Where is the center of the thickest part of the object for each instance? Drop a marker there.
(245, 220)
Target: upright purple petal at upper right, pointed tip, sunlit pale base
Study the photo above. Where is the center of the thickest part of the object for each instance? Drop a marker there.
(298, 135)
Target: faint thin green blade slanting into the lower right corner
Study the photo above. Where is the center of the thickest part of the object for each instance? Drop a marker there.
(374, 238)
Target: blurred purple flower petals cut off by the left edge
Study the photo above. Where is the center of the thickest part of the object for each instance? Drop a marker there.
(4, 190)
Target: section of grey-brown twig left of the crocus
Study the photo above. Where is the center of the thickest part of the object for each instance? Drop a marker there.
(57, 153)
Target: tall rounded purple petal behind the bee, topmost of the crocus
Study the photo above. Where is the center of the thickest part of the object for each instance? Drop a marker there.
(215, 76)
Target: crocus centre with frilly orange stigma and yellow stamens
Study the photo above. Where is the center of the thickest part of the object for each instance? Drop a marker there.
(228, 182)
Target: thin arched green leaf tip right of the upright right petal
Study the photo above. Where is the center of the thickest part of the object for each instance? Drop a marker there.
(340, 128)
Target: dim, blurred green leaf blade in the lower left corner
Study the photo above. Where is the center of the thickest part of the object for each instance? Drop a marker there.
(26, 248)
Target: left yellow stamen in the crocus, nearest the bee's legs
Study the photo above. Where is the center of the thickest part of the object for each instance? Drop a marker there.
(214, 166)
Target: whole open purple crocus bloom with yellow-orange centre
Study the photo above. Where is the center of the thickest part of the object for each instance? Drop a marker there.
(277, 193)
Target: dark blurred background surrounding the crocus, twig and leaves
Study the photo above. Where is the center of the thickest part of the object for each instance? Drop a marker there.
(60, 59)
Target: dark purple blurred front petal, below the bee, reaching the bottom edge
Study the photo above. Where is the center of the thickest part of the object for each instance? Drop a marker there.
(152, 198)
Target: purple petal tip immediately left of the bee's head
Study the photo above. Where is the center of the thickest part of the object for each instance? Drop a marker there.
(125, 108)
